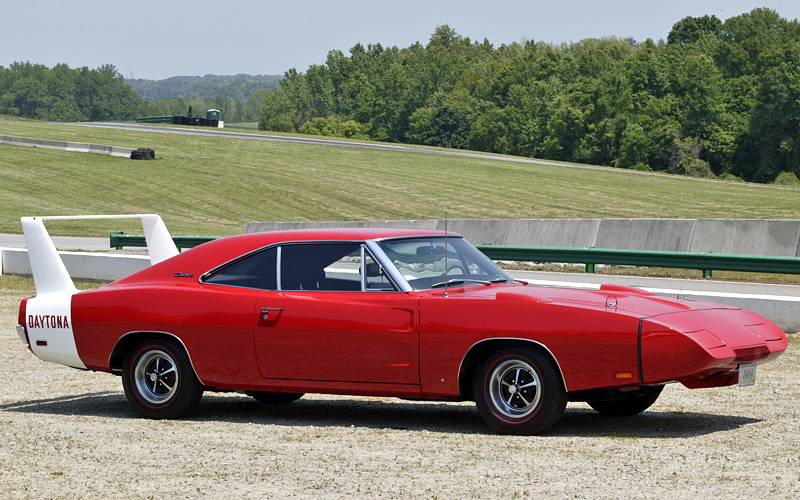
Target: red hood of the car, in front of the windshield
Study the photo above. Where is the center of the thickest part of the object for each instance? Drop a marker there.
(622, 299)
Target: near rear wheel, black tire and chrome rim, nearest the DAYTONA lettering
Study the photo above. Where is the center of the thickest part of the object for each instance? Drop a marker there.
(159, 381)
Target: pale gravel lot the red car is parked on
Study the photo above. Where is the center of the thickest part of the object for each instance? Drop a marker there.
(67, 433)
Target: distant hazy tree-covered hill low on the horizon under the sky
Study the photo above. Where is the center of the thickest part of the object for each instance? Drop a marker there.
(237, 87)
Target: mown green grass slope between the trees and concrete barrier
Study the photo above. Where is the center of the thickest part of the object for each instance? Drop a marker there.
(214, 186)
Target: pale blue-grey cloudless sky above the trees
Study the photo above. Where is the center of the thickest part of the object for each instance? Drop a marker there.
(157, 39)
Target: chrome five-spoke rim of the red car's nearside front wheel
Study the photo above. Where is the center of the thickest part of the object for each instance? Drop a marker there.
(514, 388)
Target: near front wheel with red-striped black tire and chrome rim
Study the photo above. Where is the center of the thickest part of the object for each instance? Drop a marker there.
(519, 390)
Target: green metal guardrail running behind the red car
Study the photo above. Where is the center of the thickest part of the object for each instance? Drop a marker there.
(706, 262)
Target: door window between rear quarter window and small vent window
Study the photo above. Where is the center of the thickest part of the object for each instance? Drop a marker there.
(321, 266)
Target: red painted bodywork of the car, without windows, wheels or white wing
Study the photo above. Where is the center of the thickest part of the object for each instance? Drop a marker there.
(407, 344)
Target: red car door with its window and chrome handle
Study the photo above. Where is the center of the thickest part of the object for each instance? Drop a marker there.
(326, 323)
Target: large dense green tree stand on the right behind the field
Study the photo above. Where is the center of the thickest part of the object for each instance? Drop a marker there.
(717, 99)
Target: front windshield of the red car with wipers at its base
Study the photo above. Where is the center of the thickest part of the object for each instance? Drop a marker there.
(423, 262)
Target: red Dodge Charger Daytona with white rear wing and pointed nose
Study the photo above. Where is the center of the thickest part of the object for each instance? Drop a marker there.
(383, 312)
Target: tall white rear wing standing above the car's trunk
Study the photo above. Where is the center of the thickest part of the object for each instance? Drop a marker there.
(49, 273)
